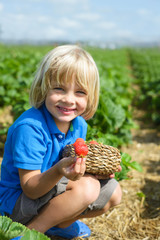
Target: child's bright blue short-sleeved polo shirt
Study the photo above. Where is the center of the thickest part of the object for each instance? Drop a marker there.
(33, 142)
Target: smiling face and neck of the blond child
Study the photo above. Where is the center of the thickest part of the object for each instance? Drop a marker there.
(65, 102)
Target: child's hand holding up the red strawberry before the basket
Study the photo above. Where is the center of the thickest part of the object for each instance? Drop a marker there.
(72, 168)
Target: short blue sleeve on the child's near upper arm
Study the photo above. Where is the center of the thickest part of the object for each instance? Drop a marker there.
(28, 147)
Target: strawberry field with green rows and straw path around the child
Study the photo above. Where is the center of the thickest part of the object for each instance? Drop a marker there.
(128, 117)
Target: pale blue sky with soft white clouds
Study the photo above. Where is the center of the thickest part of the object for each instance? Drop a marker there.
(80, 20)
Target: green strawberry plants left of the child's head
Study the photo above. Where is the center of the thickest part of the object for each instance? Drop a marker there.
(17, 67)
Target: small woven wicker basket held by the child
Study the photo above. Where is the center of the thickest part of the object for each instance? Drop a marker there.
(101, 159)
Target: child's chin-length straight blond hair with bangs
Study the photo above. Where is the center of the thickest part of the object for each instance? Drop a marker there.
(58, 66)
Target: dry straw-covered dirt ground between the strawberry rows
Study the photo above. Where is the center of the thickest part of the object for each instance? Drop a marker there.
(138, 215)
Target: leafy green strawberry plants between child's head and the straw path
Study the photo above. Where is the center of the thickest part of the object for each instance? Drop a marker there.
(113, 119)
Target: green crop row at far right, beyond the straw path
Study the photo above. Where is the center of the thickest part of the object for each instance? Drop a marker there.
(146, 68)
